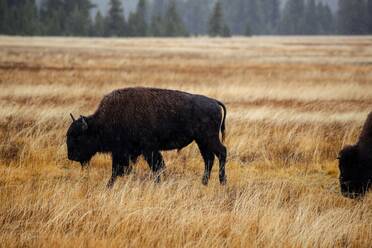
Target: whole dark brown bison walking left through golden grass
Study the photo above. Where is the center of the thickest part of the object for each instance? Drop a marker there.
(144, 121)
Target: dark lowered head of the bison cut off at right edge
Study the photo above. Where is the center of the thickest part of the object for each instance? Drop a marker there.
(354, 180)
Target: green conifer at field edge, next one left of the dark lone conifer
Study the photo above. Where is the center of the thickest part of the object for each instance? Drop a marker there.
(173, 25)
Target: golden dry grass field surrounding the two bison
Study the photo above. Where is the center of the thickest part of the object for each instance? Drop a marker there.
(292, 104)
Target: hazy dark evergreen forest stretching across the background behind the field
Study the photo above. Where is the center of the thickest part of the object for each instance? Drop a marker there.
(183, 18)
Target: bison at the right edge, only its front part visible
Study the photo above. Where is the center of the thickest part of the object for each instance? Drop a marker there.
(355, 164)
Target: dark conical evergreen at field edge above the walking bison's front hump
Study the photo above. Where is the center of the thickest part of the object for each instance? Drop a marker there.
(115, 24)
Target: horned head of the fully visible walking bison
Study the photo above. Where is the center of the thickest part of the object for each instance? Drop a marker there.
(82, 142)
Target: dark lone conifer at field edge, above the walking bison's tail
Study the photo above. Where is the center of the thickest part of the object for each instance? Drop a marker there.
(216, 24)
